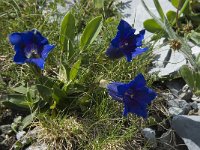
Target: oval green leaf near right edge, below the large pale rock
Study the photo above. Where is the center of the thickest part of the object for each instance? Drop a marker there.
(187, 75)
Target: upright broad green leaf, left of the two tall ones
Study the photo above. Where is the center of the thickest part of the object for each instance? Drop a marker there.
(67, 30)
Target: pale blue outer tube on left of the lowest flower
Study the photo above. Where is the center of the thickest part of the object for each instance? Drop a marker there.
(113, 91)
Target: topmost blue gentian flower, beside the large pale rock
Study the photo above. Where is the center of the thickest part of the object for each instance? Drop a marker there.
(126, 43)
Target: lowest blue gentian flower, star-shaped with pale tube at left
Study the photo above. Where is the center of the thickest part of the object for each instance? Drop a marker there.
(135, 95)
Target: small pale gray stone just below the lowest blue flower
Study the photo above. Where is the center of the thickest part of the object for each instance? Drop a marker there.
(150, 135)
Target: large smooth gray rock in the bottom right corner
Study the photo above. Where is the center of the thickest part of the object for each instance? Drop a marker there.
(188, 127)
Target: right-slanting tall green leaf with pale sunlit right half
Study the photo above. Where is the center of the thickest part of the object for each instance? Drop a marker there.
(91, 31)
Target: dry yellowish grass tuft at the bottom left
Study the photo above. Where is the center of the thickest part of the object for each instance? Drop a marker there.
(60, 133)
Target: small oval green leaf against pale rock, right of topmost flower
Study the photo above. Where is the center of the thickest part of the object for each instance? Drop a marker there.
(152, 26)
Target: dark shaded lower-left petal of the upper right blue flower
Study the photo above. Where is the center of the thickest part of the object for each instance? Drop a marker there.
(114, 53)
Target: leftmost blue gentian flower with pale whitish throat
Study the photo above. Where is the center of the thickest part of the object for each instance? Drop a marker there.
(30, 47)
